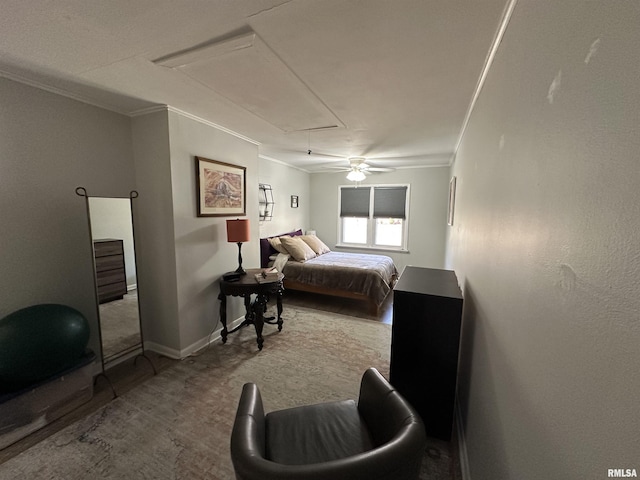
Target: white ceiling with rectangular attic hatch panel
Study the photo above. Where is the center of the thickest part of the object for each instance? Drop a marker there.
(388, 80)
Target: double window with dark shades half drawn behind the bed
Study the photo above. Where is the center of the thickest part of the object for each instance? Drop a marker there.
(374, 216)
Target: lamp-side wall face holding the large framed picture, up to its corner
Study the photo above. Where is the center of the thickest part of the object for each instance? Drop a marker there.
(201, 248)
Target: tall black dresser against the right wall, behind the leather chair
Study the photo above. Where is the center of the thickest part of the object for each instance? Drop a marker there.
(427, 316)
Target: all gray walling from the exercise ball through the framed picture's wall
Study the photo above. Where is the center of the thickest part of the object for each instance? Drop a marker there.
(49, 145)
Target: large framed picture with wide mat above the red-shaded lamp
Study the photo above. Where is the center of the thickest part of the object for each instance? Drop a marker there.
(221, 188)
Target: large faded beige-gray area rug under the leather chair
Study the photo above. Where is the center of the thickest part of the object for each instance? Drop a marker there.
(177, 425)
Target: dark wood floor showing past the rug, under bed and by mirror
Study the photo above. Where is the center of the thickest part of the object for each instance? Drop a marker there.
(128, 374)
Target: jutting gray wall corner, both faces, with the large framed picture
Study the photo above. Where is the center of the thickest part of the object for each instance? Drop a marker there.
(183, 255)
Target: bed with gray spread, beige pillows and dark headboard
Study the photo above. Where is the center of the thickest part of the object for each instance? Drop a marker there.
(358, 276)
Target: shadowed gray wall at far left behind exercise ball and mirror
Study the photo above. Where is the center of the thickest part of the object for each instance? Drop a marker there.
(49, 145)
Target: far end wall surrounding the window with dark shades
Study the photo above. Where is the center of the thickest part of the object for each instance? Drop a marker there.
(427, 211)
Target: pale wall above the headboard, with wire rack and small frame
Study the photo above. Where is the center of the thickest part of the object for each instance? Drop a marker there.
(285, 181)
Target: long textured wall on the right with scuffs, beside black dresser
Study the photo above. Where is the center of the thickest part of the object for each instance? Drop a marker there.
(545, 245)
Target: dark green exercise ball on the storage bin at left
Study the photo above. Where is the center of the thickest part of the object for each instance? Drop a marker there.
(38, 342)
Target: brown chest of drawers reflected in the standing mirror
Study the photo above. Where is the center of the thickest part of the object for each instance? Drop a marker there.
(110, 272)
